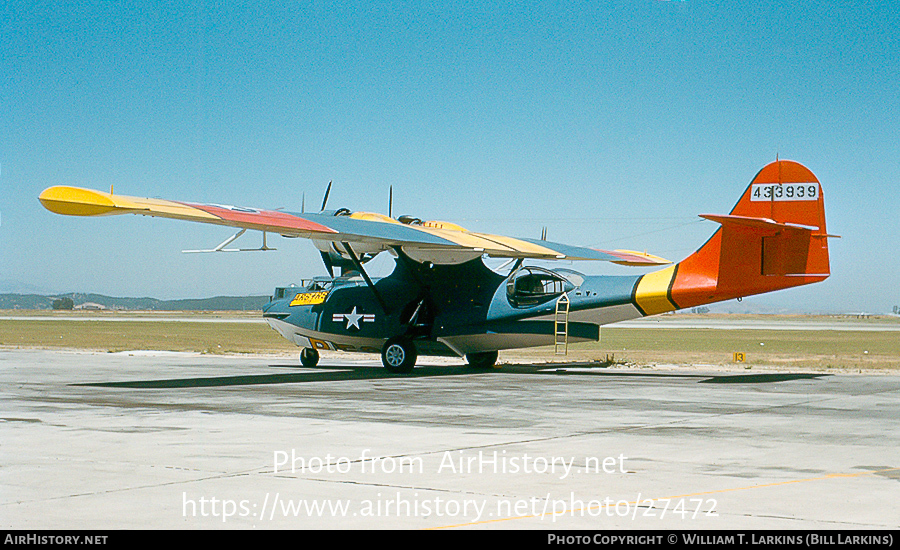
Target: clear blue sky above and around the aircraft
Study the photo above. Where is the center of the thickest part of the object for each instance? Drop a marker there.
(612, 123)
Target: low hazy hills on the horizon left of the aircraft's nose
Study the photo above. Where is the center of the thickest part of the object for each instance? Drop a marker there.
(217, 303)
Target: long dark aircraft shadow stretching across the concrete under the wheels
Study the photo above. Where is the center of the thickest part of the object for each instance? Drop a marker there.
(325, 373)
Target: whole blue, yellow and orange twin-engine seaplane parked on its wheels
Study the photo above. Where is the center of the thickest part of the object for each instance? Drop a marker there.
(442, 298)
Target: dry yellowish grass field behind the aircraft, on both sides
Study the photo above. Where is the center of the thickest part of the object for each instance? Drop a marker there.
(223, 333)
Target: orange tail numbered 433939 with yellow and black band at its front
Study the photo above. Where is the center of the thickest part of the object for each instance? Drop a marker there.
(774, 238)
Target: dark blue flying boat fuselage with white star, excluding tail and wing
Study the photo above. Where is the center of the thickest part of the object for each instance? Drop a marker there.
(454, 309)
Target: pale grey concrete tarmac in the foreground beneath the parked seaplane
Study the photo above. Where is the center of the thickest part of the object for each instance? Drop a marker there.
(175, 440)
